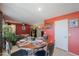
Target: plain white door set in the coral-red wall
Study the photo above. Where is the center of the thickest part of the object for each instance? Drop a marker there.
(61, 34)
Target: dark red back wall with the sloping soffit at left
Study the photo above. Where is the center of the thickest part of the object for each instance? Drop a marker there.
(18, 25)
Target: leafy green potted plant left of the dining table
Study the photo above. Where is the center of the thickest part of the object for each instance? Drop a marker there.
(7, 34)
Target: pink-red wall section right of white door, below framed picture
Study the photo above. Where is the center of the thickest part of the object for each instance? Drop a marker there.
(73, 40)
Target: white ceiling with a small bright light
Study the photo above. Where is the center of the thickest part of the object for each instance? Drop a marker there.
(28, 12)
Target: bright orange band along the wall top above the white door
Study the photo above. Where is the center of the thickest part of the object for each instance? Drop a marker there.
(67, 16)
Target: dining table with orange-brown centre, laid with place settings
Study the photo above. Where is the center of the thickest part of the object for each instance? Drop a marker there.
(31, 46)
